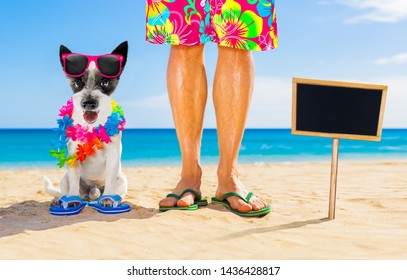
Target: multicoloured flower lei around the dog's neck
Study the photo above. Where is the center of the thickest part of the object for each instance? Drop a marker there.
(91, 139)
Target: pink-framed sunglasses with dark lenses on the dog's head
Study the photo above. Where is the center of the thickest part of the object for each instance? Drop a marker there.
(109, 65)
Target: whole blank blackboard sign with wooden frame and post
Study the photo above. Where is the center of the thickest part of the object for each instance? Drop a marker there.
(337, 110)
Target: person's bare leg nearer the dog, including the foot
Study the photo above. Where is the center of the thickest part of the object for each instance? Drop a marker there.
(187, 90)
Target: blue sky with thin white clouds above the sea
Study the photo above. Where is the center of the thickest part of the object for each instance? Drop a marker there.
(346, 40)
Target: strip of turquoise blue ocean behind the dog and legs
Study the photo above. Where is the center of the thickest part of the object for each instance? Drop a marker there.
(28, 148)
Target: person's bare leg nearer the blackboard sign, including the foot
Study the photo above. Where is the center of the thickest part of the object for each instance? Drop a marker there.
(233, 86)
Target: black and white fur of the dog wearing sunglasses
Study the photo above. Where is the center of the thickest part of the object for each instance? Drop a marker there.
(100, 173)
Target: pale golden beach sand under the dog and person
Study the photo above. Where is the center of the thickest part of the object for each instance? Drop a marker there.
(371, 217)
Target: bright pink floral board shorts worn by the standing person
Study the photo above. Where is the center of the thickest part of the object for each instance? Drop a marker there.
(242, 24)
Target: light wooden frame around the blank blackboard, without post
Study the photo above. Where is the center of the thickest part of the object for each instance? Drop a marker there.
(376, 137)
